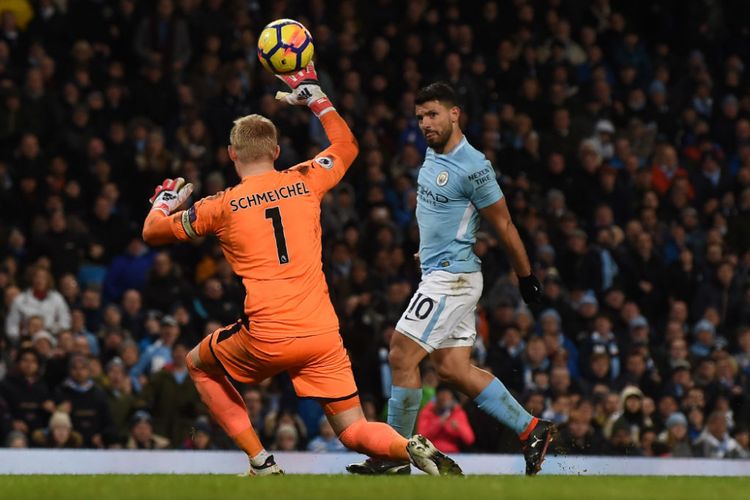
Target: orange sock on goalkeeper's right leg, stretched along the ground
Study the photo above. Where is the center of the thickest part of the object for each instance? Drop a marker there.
(375, 439)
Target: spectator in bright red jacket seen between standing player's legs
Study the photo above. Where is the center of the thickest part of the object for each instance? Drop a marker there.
(444, 422)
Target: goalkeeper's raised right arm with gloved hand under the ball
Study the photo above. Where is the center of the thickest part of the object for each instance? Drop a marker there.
(328, 167)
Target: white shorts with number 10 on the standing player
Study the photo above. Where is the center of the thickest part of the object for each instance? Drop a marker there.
(441, 312)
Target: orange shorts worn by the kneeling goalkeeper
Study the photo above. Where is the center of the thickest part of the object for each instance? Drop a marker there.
(318, 365)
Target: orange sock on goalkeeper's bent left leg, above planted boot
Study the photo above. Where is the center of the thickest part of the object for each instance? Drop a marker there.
(227, 408)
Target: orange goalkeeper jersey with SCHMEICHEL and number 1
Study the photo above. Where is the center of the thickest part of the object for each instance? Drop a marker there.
(269, 229)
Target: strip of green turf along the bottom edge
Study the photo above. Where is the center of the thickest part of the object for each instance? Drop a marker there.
(380, 488)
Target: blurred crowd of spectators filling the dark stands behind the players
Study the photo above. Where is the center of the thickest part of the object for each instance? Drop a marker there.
(620, 134)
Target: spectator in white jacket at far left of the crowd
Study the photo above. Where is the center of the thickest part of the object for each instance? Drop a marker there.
(42, 300)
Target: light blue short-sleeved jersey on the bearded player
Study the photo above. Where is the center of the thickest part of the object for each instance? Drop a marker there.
(452, 188)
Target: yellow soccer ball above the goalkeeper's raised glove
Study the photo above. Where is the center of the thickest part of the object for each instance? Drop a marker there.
(285, 46)
